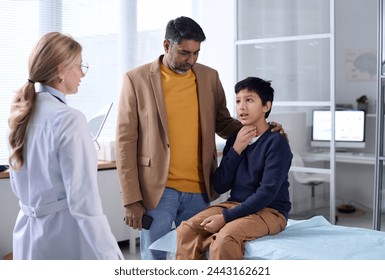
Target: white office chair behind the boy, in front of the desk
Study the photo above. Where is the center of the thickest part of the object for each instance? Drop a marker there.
(308, 179)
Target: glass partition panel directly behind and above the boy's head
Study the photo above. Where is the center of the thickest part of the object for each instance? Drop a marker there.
(299, 70)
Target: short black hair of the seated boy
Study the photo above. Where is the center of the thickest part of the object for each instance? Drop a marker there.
(259, 86)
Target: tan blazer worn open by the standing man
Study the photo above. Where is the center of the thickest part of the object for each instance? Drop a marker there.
(142, 144)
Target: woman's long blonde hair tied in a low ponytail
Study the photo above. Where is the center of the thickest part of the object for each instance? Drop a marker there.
(52, 51)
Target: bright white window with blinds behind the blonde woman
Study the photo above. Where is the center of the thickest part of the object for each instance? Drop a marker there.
(100, 26)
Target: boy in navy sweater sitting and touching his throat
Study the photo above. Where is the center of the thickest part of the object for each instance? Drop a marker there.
(254, 168)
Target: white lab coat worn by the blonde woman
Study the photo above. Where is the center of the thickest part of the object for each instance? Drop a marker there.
(60, 164)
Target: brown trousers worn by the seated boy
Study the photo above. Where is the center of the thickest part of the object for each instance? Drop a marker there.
(228, 243)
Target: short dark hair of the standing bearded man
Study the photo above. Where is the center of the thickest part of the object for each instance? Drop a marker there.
(184, 28)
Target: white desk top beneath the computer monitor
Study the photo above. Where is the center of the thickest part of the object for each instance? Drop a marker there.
(347, 157)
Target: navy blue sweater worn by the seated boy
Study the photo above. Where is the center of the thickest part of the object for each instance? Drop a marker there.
(257, 178)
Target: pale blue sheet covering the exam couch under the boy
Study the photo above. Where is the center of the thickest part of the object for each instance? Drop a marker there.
(313, 239)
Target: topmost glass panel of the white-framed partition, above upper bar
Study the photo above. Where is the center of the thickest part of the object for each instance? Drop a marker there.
(282, 18)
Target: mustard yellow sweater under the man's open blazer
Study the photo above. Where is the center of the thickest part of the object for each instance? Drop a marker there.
(180, 94)
